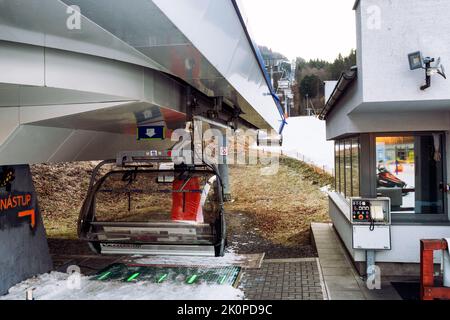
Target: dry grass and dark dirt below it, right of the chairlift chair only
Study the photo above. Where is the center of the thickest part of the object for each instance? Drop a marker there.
(273, 213)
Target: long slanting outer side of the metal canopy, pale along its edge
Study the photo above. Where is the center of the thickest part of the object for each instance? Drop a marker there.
(203, 42)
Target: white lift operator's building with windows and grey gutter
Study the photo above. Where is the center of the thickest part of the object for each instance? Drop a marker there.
(390, 119)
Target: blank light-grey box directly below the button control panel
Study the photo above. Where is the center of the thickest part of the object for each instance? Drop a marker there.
(365, 238)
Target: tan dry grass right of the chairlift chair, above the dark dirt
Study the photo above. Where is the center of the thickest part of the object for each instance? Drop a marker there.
(283, 205)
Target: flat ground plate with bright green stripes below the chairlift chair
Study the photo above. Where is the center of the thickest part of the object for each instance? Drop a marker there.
(227, 275)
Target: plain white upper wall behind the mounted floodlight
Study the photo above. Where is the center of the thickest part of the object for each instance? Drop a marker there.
(388, 32)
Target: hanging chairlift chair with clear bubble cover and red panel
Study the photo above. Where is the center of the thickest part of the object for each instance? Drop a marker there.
(144, 204)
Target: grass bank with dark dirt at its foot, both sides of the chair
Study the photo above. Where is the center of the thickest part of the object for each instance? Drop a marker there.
(269, 213)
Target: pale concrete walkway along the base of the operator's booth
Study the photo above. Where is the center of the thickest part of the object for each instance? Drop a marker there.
(342, 282)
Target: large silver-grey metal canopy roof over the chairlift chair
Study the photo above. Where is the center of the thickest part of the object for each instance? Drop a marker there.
(87, 89)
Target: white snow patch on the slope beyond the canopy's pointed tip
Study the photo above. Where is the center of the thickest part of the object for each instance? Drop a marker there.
(307, 137)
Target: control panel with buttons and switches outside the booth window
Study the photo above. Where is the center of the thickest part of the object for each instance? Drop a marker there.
(365, 211)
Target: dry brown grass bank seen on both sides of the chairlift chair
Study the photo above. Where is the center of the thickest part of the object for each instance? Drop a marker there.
(282, 205)
